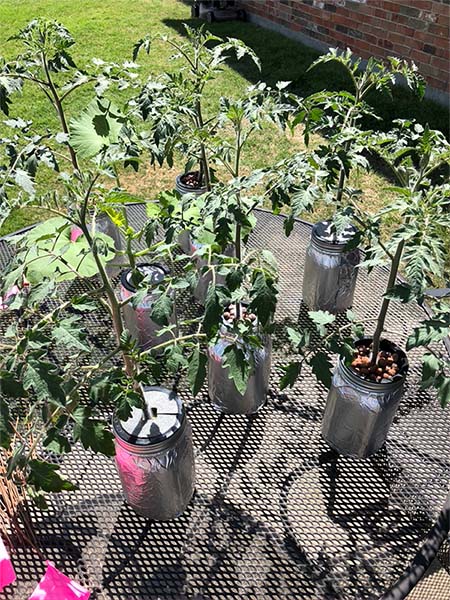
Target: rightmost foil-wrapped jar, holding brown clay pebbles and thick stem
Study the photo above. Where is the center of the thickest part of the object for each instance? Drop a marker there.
(359, 413)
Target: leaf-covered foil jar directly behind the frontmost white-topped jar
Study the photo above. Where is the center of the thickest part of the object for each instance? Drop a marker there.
(137, 319)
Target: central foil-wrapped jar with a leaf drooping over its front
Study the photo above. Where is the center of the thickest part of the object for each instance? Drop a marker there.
(222, 391)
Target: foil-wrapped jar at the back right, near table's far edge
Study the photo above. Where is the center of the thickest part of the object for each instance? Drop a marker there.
(330, 272)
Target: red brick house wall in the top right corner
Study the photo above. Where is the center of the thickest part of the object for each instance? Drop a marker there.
(414, 29)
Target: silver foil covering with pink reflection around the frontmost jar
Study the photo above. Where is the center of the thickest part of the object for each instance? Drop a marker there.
(159, 485)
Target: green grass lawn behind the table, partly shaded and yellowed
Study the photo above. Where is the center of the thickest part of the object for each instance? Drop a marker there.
(108, 30)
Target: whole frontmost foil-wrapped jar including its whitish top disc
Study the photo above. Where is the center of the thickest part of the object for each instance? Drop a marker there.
(155, 457)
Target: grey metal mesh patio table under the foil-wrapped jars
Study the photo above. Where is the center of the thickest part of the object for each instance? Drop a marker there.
(276, 514)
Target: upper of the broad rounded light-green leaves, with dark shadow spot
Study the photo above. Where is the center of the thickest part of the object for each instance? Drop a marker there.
(96, 128)
